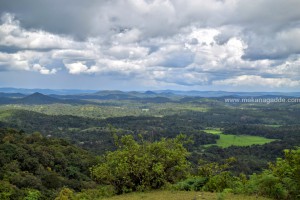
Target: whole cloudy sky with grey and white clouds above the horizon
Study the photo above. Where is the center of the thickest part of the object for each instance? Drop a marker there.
(232, 45)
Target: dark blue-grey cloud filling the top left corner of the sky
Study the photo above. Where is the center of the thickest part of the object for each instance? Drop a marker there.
(72, 17)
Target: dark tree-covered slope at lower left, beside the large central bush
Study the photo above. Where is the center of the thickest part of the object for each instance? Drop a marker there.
(32, 166)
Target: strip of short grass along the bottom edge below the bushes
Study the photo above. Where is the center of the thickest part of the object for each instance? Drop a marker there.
(181, 195)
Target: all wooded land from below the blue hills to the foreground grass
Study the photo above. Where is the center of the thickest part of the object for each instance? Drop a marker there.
(75, 145)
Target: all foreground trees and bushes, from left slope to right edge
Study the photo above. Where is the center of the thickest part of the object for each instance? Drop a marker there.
(34, 167)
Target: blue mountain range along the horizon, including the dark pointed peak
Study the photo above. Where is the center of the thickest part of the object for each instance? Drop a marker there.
(45, 96)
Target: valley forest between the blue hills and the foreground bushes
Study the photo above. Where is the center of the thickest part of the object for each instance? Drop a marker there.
(86, 125)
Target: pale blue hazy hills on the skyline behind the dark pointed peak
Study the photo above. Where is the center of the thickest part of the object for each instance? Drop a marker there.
(133, 95)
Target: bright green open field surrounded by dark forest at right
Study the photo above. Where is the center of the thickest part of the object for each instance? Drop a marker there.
(237, 140)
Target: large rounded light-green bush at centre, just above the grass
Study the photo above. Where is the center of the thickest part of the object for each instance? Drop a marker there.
(138, 167)
